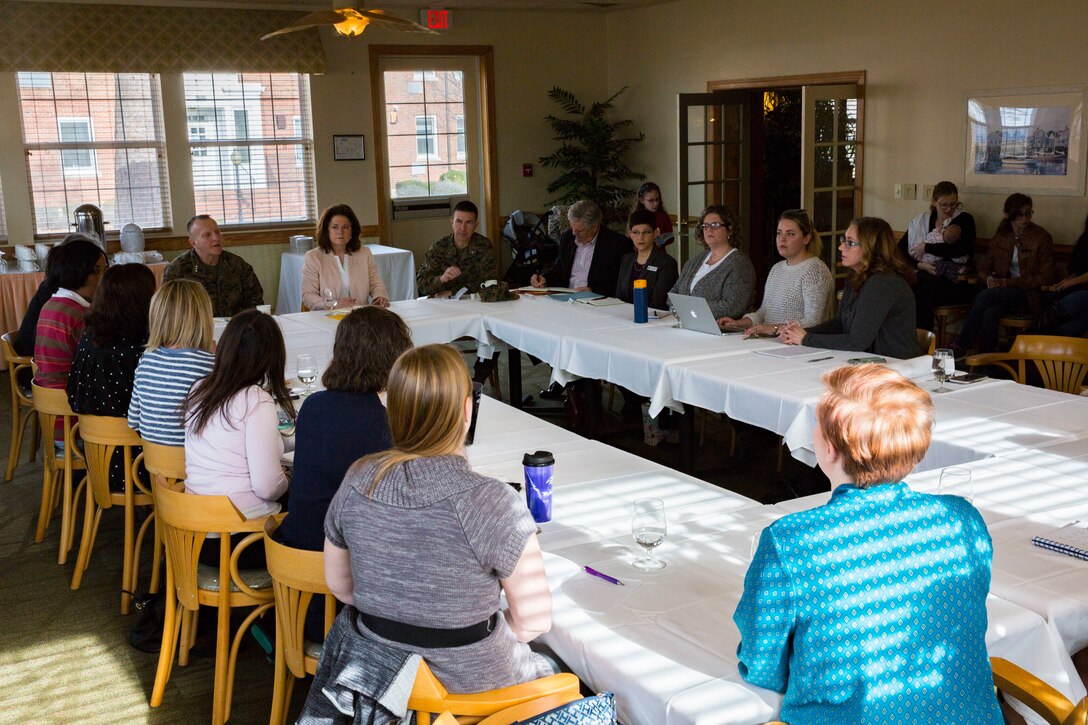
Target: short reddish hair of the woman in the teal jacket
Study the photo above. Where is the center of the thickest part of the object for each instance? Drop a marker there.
(880, 423)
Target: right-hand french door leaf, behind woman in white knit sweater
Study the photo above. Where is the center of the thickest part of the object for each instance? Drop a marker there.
(832, 163)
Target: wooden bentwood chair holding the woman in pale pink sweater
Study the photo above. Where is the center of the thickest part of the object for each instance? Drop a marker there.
(184, 523)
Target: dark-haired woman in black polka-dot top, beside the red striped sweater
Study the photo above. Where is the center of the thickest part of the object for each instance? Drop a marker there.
(105, 363)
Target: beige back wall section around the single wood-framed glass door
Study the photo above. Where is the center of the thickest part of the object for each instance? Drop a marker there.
(533, 53)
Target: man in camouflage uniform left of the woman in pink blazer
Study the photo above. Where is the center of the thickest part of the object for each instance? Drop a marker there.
(229, 279)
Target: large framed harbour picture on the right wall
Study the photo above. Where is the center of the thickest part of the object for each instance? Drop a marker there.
(1027, 140)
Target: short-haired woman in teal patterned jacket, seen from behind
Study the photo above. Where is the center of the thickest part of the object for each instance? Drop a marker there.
(872, 608)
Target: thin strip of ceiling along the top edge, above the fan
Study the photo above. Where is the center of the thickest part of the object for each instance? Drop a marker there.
(403, 6)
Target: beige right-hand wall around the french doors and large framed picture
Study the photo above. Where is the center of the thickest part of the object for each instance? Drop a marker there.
(921, 59)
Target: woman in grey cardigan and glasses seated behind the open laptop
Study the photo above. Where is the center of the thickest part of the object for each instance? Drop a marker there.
(723, 275)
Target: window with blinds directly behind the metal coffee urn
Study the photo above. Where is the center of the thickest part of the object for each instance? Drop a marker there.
(95, 139)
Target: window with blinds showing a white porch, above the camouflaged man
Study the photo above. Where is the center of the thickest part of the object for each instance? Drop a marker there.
(252, 146)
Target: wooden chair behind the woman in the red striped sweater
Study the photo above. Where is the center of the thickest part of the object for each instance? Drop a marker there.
(59, 471)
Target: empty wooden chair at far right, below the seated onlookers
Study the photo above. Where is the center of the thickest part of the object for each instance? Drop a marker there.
(1062, 362)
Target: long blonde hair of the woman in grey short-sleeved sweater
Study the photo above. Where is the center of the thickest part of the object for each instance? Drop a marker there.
(427, 391)
